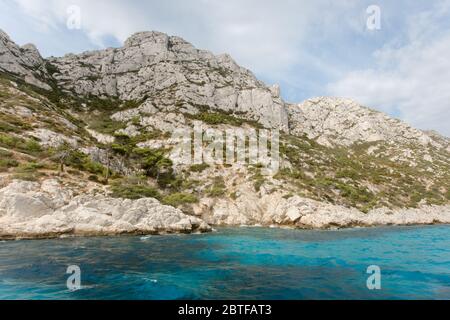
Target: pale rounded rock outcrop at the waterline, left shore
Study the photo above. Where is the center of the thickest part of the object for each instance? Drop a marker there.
(33, 210)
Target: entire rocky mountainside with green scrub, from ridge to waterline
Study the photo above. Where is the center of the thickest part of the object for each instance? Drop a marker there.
(105, 118)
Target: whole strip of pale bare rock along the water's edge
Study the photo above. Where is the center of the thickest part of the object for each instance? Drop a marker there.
(32, 210)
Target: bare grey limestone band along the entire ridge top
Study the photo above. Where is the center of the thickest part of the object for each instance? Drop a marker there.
(170, 76)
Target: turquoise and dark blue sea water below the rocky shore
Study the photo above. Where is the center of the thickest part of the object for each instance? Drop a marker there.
(235, 263)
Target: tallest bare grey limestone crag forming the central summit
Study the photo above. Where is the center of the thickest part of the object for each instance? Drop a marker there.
(169, 71)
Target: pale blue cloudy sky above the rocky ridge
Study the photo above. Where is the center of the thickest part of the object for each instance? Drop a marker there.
(400, 66)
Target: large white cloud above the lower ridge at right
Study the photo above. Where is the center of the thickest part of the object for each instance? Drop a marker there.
(410, 81)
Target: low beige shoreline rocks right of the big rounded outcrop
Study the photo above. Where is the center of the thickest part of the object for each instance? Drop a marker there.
(275, 209)
